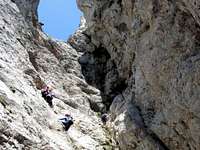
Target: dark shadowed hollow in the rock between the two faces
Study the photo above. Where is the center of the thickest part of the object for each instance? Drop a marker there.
(97, 68)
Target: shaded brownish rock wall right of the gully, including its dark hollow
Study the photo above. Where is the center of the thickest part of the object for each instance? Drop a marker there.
(150, 73)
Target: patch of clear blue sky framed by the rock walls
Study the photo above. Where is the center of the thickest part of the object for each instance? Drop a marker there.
(60, 17)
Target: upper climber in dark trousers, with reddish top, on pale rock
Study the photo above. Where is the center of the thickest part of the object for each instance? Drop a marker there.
(48, 95)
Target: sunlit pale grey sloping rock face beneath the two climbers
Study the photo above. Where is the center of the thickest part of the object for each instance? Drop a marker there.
(28, 60)
